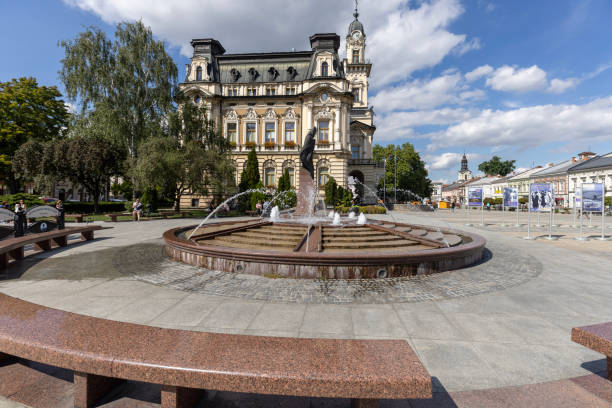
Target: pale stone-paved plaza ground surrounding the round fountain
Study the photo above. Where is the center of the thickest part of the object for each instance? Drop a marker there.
(501, 323)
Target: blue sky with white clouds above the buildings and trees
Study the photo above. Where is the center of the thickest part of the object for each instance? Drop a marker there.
(526, 80)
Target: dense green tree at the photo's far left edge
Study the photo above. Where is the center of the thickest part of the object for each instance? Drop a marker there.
(27, 111)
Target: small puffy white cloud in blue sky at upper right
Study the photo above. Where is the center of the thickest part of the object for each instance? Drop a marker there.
(510, 79)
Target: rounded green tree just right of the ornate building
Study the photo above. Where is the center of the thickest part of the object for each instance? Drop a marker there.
(411, 171)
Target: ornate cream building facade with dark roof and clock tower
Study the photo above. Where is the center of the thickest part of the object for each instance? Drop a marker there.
(269, 101)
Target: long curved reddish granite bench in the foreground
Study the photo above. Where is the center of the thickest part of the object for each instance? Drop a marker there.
(102, 352)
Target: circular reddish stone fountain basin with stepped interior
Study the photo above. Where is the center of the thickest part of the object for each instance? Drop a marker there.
(294, 250)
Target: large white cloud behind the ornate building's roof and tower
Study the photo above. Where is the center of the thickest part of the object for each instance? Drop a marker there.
(400, 39)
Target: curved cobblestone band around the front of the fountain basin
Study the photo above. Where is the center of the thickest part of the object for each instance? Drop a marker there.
(508, 268)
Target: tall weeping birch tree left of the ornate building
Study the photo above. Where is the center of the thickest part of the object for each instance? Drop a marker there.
(133, 76)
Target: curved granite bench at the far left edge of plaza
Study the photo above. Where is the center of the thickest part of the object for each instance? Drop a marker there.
(14, 247)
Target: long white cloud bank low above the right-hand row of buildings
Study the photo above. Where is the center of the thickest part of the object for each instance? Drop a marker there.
(531, 126)
